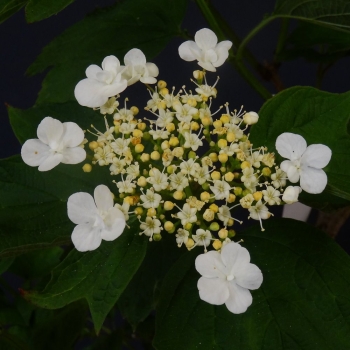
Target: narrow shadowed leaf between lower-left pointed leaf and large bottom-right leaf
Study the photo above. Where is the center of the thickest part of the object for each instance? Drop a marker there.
(141, 295)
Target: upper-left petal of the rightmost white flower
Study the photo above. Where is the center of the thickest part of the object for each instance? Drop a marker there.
(290, 146)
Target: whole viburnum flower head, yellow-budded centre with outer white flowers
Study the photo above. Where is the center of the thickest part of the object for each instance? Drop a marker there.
(180, 167)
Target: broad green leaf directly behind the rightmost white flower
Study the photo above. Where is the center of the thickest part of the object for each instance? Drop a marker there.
(320, 117)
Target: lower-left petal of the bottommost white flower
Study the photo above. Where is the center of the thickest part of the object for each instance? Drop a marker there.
(213, 290)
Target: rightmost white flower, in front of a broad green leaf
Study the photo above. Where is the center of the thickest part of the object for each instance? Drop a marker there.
(305, 163)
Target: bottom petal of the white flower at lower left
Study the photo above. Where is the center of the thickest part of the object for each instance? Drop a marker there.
(86, 237)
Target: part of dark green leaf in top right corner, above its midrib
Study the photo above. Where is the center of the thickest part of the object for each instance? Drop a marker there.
(334, 13)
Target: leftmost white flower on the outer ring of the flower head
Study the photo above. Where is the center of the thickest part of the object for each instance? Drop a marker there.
(58, 143)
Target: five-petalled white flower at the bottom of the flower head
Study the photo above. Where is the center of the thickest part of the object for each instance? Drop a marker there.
(227, 277)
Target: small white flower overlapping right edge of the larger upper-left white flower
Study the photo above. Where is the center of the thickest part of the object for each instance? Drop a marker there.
(136, 68)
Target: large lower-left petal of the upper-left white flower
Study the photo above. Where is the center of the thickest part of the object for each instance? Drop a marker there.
(90, 93)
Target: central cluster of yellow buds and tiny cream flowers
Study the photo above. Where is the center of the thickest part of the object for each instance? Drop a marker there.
(184, 168)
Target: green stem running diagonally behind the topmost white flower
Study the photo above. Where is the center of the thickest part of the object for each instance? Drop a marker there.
(238, 64)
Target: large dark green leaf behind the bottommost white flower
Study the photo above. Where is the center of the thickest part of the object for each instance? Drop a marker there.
(302, 304)
